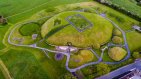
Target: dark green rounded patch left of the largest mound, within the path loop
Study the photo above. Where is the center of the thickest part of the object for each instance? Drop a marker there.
(29, 29)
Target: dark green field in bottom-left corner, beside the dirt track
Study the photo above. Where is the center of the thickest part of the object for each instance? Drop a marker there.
(26, 67)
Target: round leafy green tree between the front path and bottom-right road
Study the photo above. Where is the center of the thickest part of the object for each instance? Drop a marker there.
(102, 69)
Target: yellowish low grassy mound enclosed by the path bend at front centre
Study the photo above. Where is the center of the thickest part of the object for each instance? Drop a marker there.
(83, 57)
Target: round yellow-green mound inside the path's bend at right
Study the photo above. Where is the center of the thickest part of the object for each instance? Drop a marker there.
(117, 53)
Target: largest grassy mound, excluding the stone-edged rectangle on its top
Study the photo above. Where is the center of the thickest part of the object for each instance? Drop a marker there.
(100, 33)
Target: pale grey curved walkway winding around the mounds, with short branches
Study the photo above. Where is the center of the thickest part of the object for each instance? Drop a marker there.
(68, 52)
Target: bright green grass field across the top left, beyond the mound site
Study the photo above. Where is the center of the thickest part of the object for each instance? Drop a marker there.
(26, 9)
